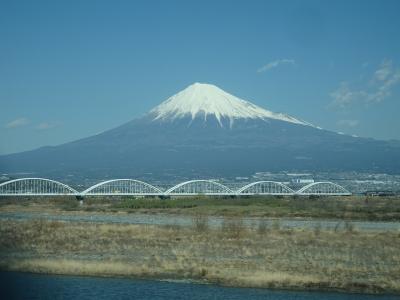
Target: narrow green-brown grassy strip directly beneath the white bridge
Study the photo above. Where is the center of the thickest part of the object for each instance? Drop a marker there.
(351, 207)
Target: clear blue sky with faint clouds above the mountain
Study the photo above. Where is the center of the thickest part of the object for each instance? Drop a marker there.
(70, 69)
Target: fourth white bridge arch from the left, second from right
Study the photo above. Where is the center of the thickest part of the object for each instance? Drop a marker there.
(265, 188)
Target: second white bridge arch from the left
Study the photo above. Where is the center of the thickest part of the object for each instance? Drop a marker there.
(122, 187)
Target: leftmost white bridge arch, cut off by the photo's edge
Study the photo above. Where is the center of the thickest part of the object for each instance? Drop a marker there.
(35, 187)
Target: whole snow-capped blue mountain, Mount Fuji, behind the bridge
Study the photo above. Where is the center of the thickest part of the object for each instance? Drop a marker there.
(205, 131)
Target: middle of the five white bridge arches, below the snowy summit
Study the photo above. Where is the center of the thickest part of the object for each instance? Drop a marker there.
(201, 186)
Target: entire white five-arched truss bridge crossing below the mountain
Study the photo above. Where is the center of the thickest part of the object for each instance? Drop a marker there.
(121, 187)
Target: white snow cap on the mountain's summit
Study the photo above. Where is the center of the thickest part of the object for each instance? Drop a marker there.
(200, 99)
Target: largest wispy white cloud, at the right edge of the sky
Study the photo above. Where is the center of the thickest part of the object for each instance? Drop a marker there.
(380, 87)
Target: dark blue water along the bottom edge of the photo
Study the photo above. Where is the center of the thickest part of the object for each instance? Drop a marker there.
(31, 286)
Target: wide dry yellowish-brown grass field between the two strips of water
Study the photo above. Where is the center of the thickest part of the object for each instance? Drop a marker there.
(232, 254)
